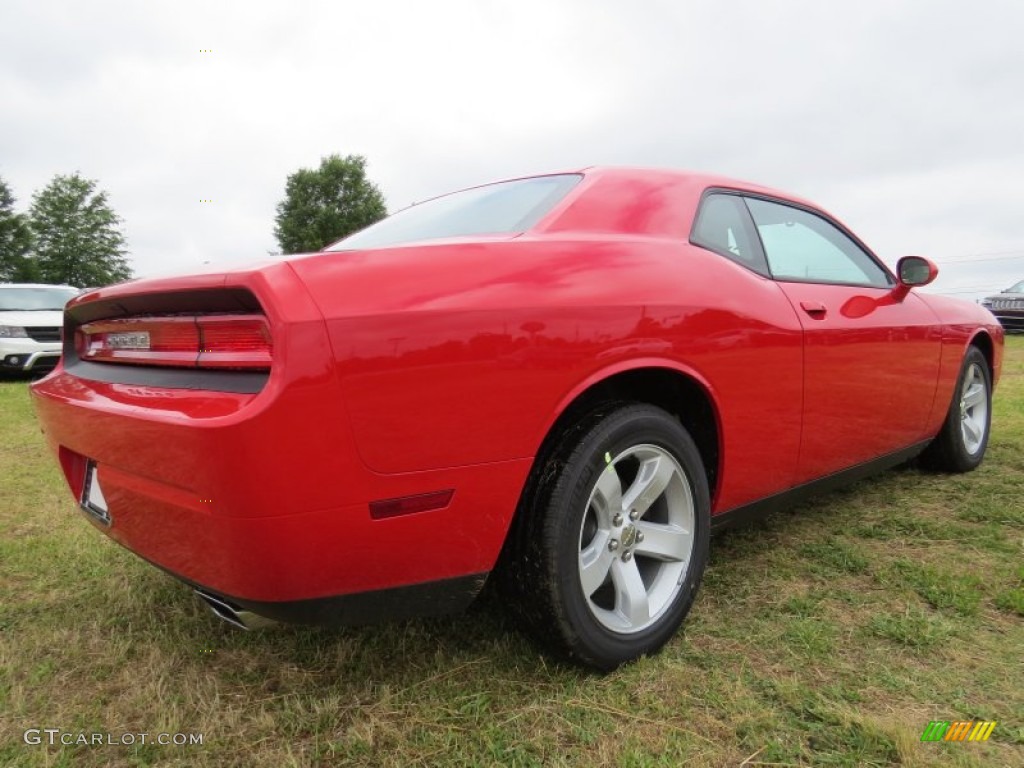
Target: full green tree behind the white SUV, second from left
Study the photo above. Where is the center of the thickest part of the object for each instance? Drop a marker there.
(78, 235)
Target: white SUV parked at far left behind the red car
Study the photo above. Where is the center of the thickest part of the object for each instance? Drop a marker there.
(31, 319)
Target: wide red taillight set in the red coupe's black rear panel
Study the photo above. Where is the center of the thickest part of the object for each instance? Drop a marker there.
(225, 342)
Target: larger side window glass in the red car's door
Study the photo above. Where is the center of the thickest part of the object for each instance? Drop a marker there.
(803, 247)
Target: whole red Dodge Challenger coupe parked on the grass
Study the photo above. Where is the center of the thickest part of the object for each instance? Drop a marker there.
(567, 380)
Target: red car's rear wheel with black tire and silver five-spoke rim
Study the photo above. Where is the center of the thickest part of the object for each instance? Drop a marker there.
(613, 538)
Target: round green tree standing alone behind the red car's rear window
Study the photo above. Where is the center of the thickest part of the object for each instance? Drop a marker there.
(324, 205)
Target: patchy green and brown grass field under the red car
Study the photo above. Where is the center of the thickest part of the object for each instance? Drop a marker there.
(829, 635)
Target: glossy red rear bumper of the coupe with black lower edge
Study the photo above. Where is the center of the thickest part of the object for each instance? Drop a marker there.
(263, 500)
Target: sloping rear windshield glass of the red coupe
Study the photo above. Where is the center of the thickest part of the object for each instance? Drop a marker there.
(505, 208)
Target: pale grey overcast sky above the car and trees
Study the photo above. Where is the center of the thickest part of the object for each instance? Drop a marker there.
(906, 119)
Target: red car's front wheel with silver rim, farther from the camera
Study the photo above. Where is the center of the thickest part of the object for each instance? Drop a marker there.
(961, 445)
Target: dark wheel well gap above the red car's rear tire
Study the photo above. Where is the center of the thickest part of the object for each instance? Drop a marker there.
(680, 396)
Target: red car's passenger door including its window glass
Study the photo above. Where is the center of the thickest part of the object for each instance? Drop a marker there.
(871, 363)
